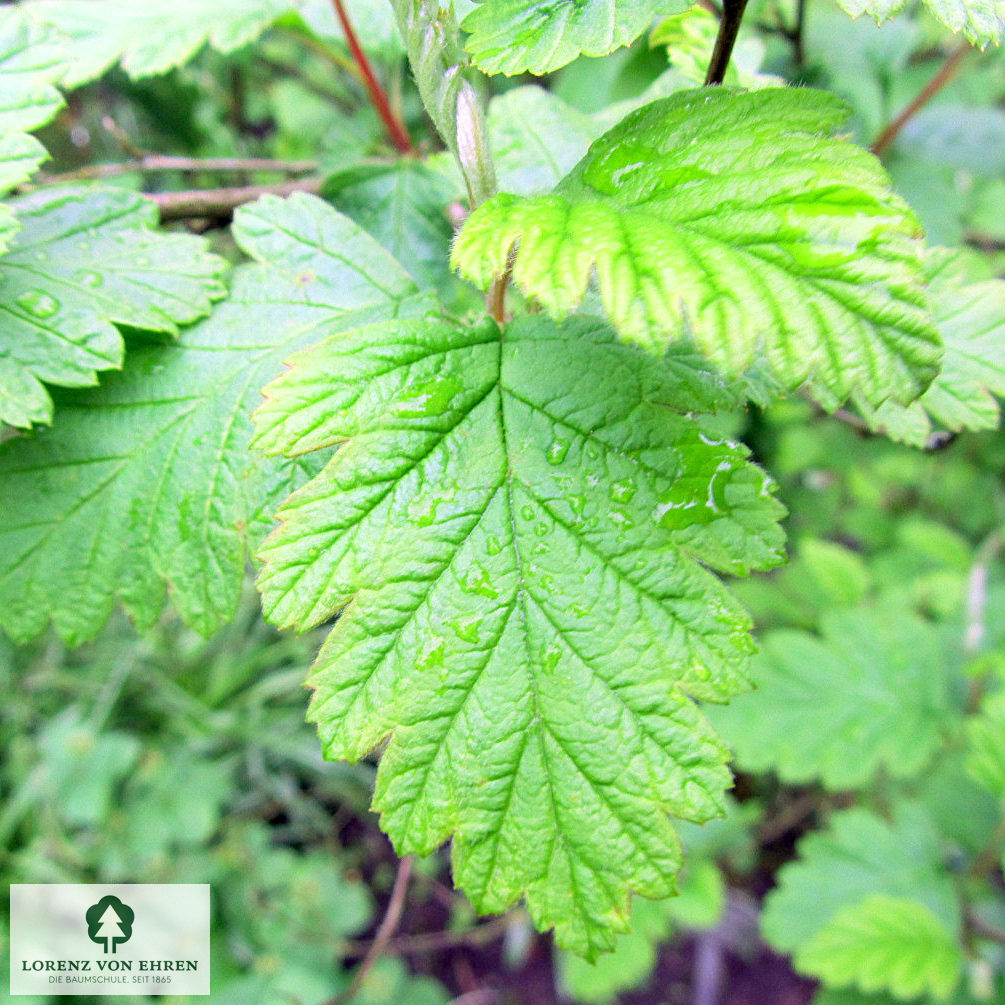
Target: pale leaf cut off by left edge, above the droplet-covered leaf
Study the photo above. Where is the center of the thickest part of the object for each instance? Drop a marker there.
(31, 63)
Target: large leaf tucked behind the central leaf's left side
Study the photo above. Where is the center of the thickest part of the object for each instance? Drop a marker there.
(149, 480)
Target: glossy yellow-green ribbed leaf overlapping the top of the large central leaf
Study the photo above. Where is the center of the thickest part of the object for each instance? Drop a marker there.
(737, 220)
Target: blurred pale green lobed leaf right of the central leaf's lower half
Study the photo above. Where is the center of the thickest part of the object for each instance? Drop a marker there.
(870, 694)
